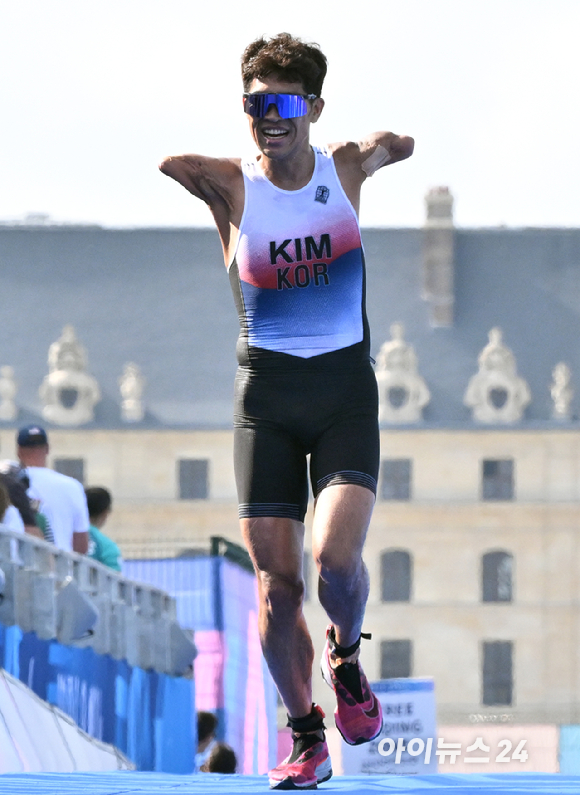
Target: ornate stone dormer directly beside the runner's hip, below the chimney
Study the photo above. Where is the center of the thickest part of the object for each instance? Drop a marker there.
(402, 392)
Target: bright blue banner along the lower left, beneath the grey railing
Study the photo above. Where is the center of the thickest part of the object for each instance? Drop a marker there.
(147, 715)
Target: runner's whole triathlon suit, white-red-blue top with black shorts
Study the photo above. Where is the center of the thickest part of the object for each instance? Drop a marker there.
(305, 384)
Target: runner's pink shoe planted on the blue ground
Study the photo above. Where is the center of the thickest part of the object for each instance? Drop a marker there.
(308, 764)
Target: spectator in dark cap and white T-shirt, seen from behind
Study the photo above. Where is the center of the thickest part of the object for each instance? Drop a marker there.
(62, 499)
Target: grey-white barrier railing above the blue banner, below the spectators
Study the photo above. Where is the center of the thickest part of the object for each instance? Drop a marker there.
(76, 600)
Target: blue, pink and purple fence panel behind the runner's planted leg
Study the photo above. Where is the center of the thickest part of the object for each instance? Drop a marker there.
(218, 600)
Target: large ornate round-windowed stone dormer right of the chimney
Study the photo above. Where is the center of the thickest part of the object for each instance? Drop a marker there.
(496, 394)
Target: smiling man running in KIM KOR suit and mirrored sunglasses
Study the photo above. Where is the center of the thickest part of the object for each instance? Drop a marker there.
(287, 219)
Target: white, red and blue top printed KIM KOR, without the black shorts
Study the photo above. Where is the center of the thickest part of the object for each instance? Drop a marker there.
(298, 271)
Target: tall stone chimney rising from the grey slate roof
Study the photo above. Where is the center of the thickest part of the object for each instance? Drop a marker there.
(438, 249)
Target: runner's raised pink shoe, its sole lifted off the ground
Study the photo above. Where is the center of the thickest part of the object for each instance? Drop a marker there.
(358, 714)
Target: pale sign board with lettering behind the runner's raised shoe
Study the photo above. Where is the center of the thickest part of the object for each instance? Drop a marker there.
(408, 739)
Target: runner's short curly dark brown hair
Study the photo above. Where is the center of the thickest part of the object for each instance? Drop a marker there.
(287, 58)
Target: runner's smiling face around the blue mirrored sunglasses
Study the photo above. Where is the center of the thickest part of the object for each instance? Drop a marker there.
(279, 138)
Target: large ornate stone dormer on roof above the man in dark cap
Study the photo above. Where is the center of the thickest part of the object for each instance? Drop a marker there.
(68, 392)
